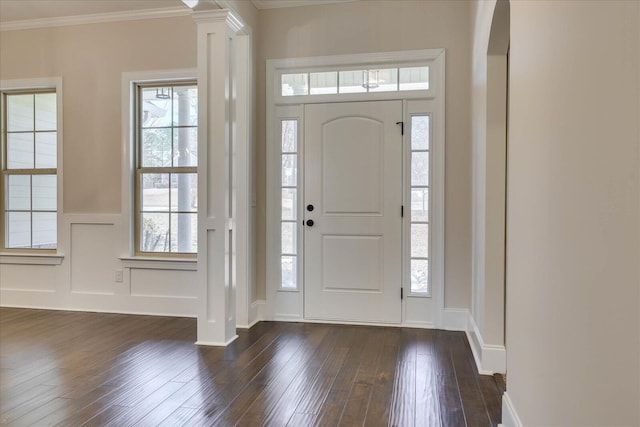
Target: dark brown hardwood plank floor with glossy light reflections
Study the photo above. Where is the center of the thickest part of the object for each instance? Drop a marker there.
(75, 369)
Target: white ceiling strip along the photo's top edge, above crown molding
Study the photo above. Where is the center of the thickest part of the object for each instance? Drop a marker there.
(25, 10)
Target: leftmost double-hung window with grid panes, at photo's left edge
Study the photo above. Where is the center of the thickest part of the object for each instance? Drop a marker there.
(29, 170)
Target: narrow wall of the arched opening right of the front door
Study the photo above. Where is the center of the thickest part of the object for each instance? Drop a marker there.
(489, 101)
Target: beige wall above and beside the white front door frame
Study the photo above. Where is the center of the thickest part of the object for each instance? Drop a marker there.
(383, 26)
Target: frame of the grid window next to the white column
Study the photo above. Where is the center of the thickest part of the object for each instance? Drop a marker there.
(138, 169)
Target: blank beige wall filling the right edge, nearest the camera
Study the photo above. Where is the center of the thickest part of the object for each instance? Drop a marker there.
(573, 302)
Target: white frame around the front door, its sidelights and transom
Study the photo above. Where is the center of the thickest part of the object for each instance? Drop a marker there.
(287, 304)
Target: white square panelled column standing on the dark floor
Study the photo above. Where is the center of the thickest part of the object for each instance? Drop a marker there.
(216, 104)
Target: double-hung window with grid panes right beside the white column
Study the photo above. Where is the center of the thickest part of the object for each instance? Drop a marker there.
(166, 168)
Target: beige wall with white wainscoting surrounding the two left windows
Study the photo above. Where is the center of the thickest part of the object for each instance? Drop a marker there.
(90, 59)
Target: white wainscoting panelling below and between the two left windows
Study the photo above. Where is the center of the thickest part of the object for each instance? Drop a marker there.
(92, 271)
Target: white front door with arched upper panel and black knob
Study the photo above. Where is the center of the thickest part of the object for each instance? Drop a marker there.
(352, 211)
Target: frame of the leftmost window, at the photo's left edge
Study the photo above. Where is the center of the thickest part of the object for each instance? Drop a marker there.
(32, 86)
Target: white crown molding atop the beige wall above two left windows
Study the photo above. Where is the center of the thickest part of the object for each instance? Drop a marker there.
(97, 18)
